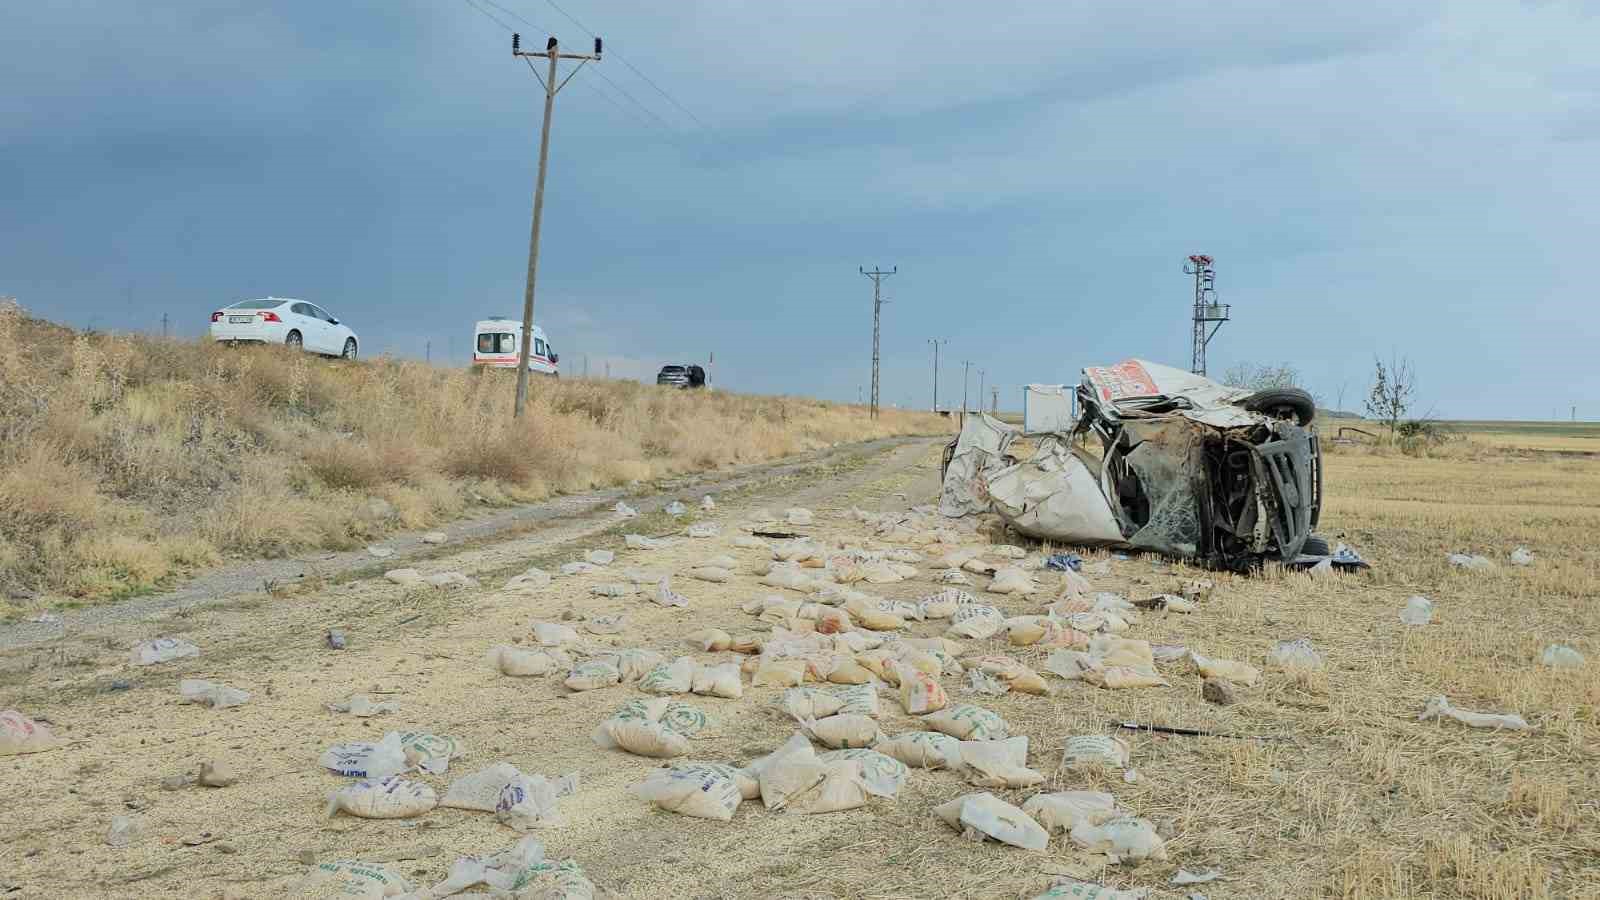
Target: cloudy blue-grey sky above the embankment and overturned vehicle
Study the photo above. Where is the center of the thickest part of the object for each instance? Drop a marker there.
(1372, 179)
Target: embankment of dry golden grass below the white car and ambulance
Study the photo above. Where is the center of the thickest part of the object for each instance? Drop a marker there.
(126, 460)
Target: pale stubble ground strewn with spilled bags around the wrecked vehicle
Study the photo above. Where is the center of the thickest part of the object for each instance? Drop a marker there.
(1326, 784)
